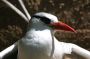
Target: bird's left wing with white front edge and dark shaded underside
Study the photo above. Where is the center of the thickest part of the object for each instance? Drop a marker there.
(10, 52)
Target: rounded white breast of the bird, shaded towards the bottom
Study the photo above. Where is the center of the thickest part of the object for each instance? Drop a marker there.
(36, 44)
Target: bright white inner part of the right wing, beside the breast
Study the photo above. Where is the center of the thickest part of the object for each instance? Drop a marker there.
(61, 48)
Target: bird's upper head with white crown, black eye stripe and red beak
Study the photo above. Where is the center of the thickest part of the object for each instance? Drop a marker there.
(52, 21)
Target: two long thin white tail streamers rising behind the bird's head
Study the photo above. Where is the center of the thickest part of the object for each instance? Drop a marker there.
(25, 17)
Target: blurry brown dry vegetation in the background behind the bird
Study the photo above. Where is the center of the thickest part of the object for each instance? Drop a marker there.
(75, 13)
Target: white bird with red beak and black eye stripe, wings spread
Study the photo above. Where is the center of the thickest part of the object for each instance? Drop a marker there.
(40, 43)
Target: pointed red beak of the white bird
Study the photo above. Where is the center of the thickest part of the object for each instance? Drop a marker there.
(62, 26)
